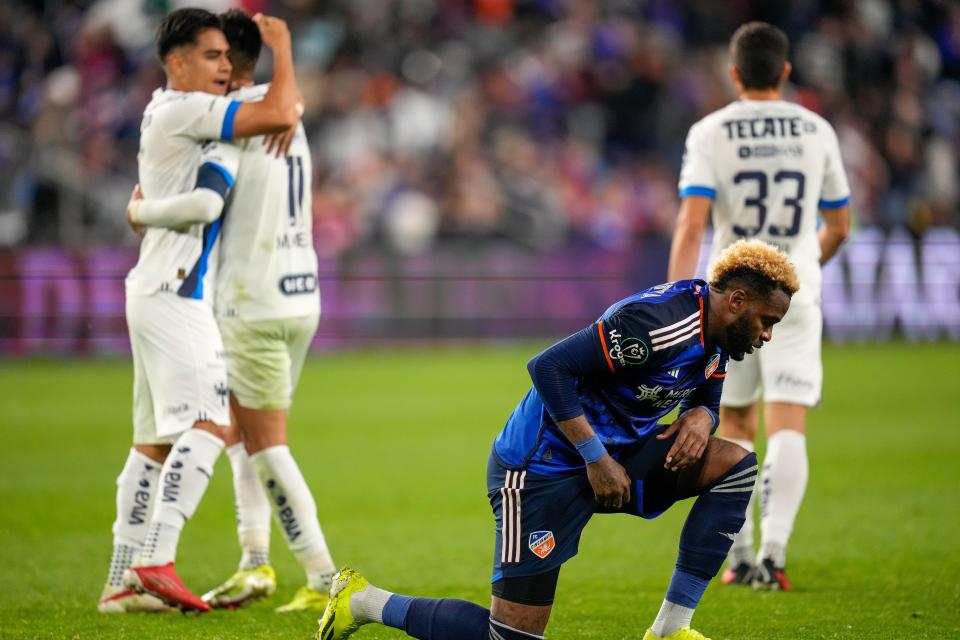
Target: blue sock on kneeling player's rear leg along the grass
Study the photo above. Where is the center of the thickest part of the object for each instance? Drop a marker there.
(437, 619)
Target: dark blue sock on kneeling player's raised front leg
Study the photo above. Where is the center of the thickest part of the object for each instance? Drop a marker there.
(716, 516)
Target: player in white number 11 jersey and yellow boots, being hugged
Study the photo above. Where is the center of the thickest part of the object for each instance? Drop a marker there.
(267, 307)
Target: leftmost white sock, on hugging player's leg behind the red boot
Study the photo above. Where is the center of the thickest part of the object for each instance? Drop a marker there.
(136, 486)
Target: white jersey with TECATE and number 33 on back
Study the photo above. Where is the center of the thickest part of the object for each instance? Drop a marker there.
(769, 166)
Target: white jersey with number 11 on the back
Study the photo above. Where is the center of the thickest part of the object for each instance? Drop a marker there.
(268, 268)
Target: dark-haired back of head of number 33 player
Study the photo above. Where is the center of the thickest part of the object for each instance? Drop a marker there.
(759, 51)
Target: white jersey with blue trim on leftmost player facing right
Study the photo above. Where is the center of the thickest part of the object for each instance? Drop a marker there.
(179, 133)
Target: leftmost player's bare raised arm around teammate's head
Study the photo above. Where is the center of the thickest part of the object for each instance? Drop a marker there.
(280, 109)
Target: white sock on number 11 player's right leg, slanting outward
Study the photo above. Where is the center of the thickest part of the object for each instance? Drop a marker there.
(294, 507)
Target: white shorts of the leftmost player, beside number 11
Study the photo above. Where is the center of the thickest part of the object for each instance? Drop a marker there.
(179, 369)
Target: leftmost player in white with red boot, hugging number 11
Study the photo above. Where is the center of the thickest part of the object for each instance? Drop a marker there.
(180, 377)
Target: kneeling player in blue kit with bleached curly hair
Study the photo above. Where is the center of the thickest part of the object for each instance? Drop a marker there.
(586, 440)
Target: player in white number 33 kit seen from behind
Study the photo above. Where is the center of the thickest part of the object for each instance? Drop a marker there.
(765, 168)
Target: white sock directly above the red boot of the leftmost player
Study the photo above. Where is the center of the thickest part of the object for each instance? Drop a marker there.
(183, 481)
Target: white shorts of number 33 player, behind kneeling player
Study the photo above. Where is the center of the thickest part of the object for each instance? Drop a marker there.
(787, 369)
